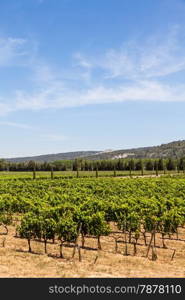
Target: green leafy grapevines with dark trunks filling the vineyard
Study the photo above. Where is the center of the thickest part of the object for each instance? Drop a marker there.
(70, 211)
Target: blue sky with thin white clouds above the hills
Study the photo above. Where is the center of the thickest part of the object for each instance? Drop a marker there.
(90, 75)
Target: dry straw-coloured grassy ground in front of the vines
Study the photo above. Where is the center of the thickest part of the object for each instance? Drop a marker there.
(15, 261)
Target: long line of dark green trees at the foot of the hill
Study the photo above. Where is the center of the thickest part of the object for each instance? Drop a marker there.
(125, 164)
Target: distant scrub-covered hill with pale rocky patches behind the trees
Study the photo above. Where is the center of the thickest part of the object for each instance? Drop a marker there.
(174, 149)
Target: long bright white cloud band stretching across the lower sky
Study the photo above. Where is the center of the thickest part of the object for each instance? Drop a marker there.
(140, 91)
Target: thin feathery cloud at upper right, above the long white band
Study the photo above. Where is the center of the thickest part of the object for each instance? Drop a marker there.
(152, 58)
